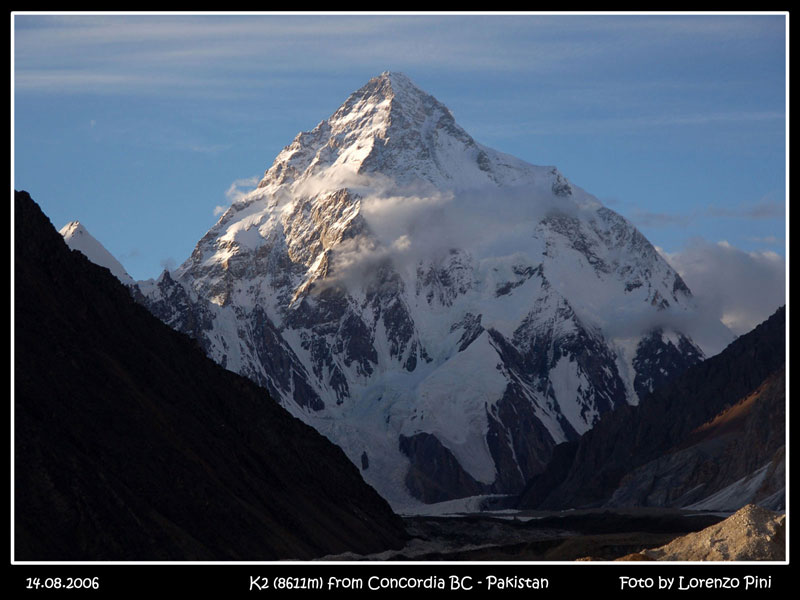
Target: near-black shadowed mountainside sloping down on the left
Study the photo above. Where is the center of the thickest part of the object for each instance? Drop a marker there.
(130, 444)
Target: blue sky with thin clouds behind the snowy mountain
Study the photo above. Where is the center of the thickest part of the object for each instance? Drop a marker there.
(141, 126)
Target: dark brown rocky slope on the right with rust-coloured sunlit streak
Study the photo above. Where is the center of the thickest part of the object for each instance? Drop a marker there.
(721, 423)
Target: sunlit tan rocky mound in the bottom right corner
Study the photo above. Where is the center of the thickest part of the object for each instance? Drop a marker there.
(751, 534)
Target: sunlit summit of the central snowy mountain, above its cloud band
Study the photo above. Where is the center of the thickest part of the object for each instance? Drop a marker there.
(392, 128)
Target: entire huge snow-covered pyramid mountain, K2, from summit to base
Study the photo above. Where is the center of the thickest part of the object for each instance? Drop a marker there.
(444, 312)
